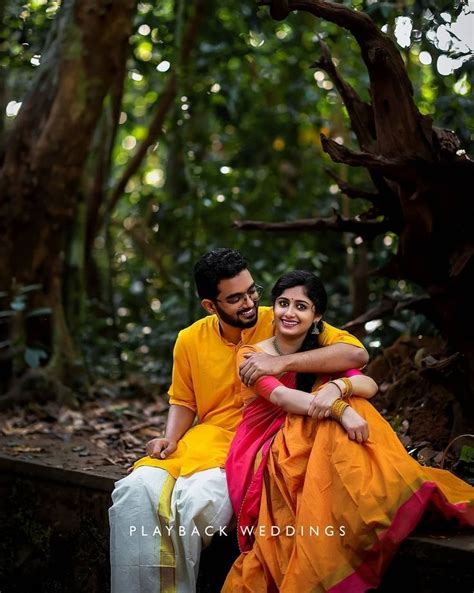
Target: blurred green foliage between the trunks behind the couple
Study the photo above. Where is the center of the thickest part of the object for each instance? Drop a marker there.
(242, 141)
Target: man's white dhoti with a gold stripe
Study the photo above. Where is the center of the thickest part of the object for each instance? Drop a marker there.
(158, 526)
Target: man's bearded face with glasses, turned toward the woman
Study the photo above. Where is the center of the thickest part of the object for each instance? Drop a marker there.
(234, 304)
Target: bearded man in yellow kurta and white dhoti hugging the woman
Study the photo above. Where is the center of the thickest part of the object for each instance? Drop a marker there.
(176, 498)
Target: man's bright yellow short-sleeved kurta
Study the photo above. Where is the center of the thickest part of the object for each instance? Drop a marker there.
(206, 381)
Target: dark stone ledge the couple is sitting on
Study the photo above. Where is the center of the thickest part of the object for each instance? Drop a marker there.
(67, 526)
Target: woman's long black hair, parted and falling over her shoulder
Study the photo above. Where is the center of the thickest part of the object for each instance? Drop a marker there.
(314, 290)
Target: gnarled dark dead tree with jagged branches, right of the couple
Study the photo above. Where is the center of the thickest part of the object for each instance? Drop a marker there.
(423, 183)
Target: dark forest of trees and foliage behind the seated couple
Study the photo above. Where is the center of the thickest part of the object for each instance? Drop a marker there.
(136, 136)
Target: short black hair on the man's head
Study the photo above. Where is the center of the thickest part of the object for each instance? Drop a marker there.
(214, 266)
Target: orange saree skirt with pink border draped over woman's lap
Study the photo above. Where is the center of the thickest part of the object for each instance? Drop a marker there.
(333, 512)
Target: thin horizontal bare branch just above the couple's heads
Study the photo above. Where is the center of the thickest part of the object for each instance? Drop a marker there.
(367, 229)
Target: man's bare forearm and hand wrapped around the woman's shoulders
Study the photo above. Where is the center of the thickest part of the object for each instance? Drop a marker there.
(328, 360)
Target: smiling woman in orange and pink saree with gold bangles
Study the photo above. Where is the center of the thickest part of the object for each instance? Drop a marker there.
(322, 505)
